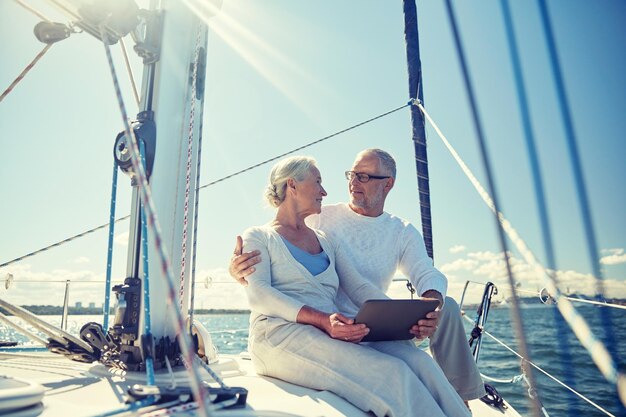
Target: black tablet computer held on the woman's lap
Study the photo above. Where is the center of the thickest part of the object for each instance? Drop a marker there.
(392, 319)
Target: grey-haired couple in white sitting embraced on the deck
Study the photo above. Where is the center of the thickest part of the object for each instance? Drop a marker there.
(308, 270)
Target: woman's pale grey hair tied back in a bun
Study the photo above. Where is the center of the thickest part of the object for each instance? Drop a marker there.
(295, 167)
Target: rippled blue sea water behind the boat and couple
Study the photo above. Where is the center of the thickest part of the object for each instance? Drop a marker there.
(549, 343)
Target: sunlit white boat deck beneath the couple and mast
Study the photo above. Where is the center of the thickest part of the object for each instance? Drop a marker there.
(79, 389)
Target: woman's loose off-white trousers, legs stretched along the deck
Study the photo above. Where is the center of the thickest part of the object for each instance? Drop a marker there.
(392, 379)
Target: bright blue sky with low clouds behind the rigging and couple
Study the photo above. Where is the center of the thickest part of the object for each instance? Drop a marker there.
(281, 74)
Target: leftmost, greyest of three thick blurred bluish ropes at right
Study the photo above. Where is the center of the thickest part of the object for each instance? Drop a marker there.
(516, 313)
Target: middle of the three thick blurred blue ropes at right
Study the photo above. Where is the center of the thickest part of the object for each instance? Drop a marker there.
(539, 190)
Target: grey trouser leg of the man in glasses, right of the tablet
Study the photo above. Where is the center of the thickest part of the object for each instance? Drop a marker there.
(451, 351)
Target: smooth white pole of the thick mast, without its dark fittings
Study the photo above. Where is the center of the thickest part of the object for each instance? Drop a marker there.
(176, 97)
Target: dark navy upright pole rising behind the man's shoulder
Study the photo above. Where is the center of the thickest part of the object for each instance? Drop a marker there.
(414, 67)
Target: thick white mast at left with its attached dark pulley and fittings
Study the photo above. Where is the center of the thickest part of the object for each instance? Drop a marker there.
(173, 49)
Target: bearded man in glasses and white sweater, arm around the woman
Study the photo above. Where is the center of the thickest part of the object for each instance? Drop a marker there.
(379, 245)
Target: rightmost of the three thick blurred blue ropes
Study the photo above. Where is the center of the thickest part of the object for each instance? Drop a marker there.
(583, 199)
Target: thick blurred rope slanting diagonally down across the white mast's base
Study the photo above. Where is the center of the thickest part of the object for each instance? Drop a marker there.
(146, 196)
